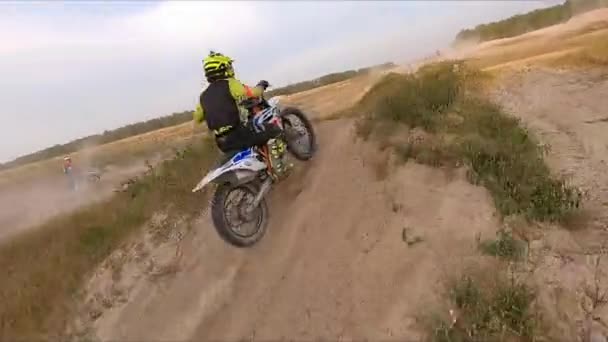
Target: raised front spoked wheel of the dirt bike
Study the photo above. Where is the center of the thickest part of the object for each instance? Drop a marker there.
(299, 134)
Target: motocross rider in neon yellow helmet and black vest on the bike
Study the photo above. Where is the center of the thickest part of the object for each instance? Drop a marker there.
(219, 108)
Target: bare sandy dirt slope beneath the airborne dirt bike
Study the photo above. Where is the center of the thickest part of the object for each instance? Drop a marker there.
(333, 265)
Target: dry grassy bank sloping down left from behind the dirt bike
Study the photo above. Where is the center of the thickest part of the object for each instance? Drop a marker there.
(44, 268)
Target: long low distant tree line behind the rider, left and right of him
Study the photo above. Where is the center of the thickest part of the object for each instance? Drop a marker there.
(171, 120)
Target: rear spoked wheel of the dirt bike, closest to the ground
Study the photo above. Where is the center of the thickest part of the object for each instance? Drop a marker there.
(232, 217)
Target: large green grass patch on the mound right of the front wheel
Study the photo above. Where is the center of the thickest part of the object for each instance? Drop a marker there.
(502, 155)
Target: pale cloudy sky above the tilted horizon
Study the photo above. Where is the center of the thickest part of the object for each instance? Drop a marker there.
(75, 68)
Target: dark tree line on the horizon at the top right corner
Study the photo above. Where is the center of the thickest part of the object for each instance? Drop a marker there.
(522, 23)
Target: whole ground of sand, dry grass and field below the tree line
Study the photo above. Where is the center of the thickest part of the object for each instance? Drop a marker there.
(463, 202)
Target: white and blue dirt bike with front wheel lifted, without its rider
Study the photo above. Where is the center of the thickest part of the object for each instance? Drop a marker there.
(245, 178)
